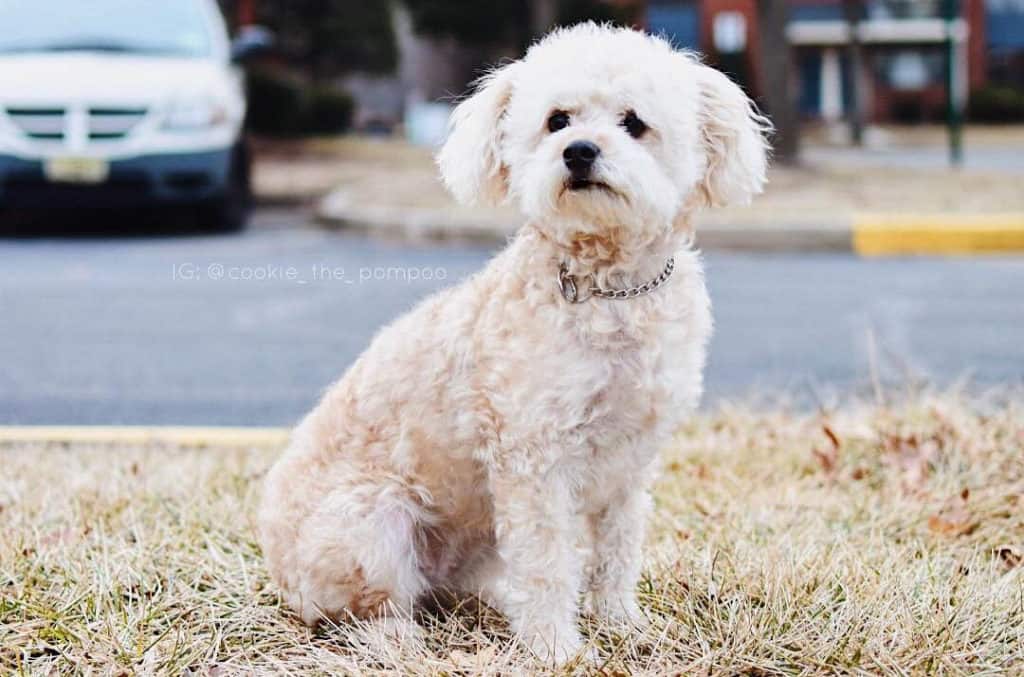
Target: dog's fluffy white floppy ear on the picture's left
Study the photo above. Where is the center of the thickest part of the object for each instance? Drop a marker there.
(471, 160)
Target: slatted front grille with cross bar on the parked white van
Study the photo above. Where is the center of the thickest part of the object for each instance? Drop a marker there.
(58, 125)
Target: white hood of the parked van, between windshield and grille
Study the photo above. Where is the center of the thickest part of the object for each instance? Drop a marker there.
(59, 78)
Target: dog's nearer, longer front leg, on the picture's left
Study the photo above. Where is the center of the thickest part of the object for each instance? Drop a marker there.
(538, 584)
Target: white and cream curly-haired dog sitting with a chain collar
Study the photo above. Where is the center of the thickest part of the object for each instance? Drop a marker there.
(501, 438)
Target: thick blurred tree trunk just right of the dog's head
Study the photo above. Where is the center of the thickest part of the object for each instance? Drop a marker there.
(777, 79)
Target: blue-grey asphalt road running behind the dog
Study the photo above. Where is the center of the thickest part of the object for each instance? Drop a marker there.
(248, 330)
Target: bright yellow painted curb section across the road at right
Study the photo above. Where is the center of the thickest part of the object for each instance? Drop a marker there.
(882, 235)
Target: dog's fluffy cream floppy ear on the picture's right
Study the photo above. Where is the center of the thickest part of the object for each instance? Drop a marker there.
(734, 136)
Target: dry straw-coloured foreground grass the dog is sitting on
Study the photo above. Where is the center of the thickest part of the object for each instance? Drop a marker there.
(866, 541)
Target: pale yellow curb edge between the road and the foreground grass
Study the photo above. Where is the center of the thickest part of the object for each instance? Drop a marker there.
(143, 436)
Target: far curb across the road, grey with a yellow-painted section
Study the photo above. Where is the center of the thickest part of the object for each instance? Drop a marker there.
(863, 234)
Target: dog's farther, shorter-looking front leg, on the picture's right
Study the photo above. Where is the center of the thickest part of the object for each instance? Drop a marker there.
(616, 562)
